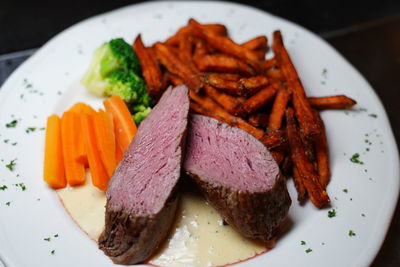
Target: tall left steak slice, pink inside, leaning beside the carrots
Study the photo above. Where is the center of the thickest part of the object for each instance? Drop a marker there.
(141, 198)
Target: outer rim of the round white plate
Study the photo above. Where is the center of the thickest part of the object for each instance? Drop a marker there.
(392, 199)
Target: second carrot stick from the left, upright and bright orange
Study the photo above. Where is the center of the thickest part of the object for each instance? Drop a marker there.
(70, 126)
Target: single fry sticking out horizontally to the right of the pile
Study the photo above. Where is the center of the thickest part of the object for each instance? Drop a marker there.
(331, 102)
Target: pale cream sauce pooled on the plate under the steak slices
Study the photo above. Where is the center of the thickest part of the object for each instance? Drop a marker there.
(198, 236)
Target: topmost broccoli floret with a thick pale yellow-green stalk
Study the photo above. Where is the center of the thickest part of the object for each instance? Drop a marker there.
(115, 55)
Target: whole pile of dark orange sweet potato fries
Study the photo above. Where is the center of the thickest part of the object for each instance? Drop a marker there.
(235, 84)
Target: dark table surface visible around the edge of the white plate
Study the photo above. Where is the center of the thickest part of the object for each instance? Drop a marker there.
(367, 33)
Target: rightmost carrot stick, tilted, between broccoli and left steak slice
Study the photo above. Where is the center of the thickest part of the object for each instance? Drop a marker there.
(125, 127)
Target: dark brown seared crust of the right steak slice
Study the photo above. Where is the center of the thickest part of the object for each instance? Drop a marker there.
(254, 215)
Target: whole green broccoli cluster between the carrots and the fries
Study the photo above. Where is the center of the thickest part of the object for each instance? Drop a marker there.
(114, 71)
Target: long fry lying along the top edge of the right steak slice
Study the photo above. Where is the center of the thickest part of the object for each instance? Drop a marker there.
(208, 107)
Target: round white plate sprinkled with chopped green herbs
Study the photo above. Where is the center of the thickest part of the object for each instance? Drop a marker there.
(36, 213)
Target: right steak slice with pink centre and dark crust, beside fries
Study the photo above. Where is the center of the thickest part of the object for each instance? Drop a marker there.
(238, 176)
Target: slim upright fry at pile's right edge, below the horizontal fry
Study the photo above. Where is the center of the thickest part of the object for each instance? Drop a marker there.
(322, 154)
